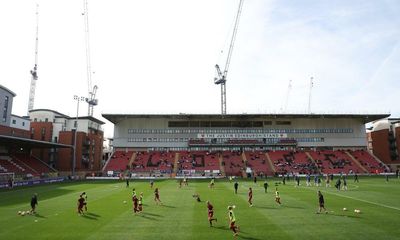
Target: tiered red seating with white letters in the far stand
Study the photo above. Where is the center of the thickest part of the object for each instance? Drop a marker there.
(235, 163)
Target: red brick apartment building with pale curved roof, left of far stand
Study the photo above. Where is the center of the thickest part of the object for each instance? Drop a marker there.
(52, 126)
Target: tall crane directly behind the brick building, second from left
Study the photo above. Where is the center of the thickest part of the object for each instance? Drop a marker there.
(91, 99)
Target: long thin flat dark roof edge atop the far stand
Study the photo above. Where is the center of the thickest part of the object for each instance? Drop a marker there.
(366, 118)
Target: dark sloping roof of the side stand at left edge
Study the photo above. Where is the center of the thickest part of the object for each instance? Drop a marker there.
(26, 142)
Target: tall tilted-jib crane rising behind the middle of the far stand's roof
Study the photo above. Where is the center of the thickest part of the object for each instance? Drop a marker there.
(221, 76)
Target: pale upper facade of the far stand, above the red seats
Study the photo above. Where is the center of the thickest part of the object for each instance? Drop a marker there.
(309, 132)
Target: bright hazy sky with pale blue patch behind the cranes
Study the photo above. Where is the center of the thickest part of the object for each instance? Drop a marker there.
(158, 56)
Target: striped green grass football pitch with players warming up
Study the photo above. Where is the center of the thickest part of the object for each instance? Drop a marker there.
(182, 217)
